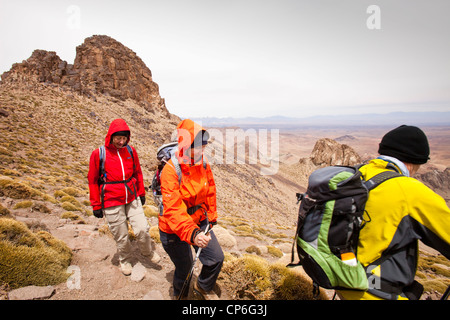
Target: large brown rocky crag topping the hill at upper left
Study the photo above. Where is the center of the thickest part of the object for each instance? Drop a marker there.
(102, 66)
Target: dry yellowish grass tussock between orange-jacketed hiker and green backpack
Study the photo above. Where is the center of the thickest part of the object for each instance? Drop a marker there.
(253, 278)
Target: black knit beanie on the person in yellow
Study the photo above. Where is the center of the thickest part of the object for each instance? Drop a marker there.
(407, 144)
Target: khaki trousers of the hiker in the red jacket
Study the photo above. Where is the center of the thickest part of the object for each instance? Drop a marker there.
(117, 221)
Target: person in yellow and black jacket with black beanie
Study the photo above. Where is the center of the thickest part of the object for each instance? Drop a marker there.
(401, 211)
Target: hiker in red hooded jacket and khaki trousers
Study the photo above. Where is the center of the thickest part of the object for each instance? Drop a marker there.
(118, 192)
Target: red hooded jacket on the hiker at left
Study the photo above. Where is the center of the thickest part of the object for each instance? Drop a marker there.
(118, 167)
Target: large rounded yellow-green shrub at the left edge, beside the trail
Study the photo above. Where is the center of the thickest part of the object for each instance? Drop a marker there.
(31, 258)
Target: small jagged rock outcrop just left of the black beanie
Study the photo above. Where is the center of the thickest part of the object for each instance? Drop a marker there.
(327, 152)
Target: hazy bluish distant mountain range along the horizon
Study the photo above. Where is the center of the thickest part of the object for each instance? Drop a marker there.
(373, 119)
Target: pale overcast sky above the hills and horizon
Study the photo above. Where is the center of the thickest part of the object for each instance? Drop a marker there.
(258, 57)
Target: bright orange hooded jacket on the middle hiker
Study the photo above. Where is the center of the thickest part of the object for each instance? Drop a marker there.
(197, 187)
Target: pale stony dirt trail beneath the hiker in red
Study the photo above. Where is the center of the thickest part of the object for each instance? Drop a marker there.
(95, 264)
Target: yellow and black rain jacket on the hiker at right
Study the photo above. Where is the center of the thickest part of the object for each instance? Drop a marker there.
(400, 212)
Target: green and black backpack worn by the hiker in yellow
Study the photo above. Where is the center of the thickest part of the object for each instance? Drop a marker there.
(331, 215)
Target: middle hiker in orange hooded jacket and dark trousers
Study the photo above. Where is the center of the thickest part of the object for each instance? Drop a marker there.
(189, 205)
